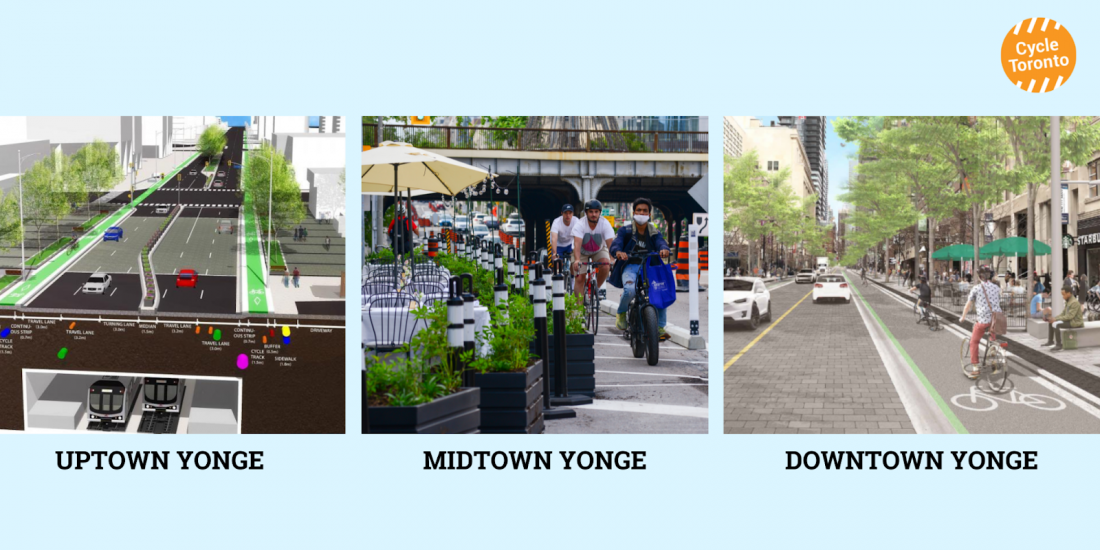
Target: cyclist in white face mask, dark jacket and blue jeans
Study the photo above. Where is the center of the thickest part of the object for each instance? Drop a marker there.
(634, 237)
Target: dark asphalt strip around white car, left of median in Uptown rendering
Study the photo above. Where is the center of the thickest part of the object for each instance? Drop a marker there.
(125, 294)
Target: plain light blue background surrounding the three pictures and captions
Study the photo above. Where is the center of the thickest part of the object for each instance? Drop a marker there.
(542, 59)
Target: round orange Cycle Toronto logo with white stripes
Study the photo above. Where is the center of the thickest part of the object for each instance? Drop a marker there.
(1039, 56)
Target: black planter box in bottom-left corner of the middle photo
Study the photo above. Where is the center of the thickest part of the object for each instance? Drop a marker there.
(455, 414)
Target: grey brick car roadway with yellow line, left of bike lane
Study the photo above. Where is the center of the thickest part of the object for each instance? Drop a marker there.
(817, 371)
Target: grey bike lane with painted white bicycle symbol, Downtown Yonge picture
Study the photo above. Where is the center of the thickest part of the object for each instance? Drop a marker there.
(1031, 404)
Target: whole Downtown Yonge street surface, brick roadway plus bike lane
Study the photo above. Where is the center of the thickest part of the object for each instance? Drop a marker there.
(843, 368)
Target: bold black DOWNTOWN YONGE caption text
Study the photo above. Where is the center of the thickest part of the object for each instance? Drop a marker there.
(911, 460)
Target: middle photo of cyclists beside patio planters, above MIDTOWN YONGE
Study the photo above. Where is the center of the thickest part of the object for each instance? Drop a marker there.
(535, 274)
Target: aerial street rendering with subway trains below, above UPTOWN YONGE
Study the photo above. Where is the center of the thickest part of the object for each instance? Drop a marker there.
(171, 274)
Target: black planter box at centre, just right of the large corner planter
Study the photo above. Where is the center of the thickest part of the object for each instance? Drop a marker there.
(512, 403)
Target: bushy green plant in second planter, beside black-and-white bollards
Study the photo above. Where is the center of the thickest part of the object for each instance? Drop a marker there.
(509, 336)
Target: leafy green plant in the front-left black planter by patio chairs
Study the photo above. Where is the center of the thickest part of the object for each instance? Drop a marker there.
(398, 381)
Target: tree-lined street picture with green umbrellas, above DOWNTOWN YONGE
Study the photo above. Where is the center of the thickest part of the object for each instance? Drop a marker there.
(933, 289)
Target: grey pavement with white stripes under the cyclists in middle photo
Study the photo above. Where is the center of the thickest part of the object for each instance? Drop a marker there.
(633, 398)
